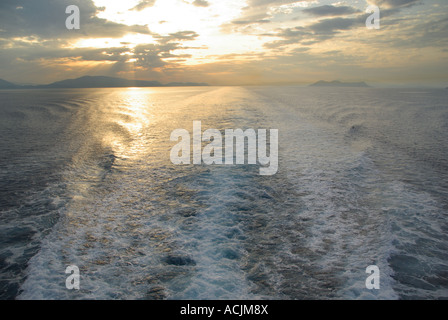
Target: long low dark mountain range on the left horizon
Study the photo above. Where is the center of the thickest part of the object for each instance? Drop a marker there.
(98, 82)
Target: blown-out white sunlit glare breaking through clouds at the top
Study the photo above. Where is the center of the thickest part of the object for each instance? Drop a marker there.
(167, 17)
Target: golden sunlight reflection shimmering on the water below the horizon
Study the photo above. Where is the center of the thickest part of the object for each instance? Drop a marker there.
(138, 124)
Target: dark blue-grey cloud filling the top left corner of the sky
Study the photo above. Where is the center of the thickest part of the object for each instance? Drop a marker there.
(46, 19)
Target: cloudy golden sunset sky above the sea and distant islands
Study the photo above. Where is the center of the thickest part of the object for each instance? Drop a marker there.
(231, 42)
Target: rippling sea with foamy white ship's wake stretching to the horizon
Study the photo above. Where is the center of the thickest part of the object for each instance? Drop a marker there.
(86, 180)
